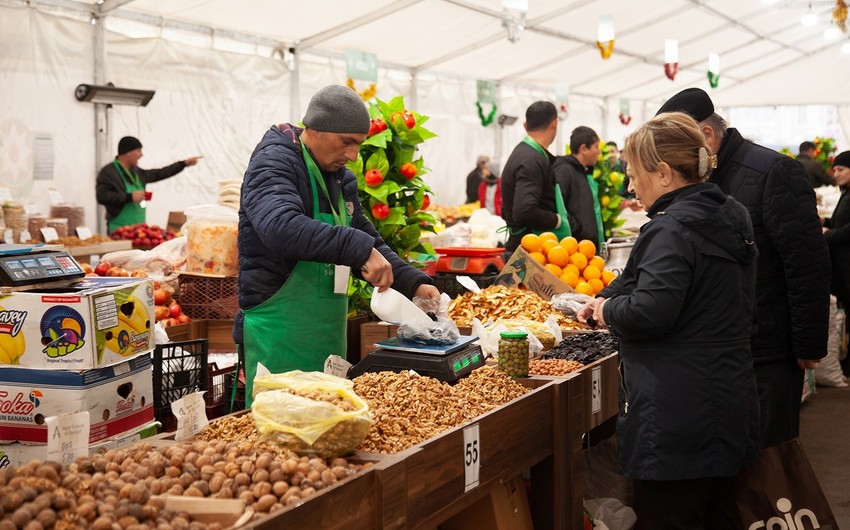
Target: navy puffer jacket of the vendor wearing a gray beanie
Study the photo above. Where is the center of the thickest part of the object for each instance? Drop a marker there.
(277, 229)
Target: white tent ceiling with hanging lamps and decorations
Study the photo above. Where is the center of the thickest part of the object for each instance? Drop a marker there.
(767, 55)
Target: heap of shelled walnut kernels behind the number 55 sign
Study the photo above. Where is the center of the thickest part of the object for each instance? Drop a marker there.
(408, 408)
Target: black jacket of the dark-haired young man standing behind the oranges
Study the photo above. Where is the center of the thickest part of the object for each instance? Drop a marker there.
(578, 199)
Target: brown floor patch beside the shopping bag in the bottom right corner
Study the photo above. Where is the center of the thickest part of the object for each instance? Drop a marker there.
(825, 436)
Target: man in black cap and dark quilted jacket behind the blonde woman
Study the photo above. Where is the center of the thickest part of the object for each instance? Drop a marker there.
(792, 283)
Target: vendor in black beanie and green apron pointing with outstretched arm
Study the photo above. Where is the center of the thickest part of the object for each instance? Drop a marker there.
(121, 184)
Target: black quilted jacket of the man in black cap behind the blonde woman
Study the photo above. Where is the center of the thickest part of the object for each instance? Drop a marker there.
(792, 288)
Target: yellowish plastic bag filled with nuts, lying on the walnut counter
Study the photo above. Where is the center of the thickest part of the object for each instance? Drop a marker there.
(310, 425)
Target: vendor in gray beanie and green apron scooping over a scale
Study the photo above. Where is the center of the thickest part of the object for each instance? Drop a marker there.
(302, 231)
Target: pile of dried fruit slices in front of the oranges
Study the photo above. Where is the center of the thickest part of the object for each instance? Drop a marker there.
(498, 301)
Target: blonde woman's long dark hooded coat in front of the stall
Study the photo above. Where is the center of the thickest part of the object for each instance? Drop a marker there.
(683, 309)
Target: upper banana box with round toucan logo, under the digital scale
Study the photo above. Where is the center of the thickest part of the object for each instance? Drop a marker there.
(93, 323)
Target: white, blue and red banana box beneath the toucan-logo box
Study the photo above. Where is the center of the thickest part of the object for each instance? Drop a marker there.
(119, 398)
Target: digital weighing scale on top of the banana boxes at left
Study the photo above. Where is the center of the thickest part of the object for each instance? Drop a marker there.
(26, 265)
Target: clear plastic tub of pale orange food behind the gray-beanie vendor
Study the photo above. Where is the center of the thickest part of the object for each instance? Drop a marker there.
(211, 232)
